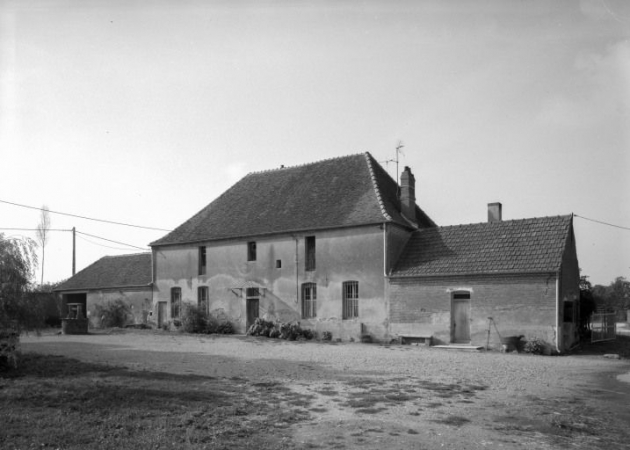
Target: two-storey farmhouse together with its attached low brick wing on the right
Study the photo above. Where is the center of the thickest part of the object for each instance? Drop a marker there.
(340, 247)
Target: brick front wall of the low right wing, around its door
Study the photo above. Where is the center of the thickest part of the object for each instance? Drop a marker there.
(519, 305)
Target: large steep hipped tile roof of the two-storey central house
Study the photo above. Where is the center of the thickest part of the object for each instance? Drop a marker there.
(339, 192)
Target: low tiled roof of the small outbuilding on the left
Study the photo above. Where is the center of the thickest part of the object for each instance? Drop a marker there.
(112, 272)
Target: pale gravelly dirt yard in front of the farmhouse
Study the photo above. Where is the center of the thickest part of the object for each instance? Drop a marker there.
(372, 396)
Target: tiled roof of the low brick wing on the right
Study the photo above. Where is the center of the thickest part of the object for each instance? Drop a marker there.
(515, 246)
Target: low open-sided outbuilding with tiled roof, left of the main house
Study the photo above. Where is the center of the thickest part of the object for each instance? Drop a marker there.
(126, 277)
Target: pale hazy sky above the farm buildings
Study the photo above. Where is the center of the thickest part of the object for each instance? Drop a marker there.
(144, 112)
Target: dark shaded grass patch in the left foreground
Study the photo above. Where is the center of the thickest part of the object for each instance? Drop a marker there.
(58, 402)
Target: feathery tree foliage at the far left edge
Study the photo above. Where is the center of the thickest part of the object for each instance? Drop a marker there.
(18, 260)
